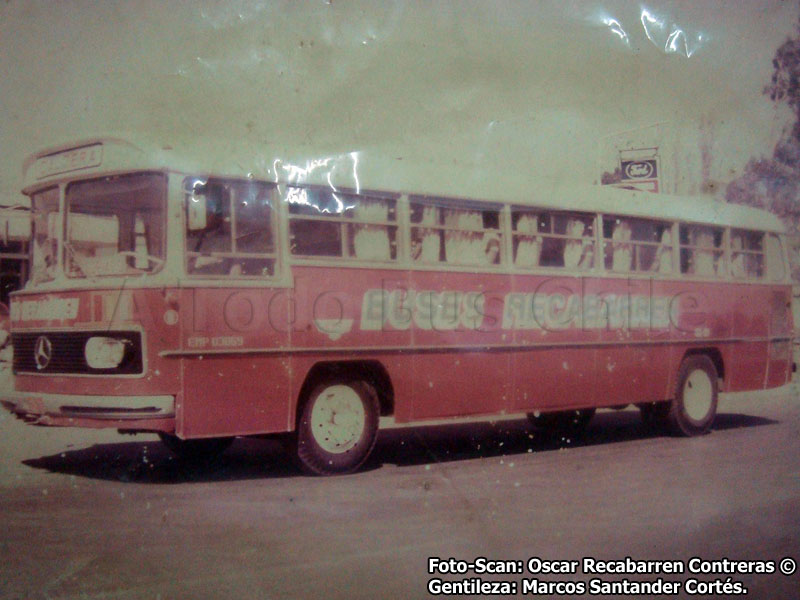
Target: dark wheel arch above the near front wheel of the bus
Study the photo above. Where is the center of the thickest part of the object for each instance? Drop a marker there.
(371, 371)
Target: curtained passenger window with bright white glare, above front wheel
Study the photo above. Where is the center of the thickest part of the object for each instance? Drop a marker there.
(325, 223)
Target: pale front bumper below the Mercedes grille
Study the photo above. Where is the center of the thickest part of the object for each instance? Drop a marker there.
(31, 406)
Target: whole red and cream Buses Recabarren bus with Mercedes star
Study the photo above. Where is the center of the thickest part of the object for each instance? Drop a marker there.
(206, 304)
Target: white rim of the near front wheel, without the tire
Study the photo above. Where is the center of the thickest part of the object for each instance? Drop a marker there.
(338, 419)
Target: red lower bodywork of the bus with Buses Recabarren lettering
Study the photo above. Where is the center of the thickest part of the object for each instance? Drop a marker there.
(454, 344)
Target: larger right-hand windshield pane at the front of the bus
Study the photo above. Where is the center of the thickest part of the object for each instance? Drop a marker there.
(115, 225)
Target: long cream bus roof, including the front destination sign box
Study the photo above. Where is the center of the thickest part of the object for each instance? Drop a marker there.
(365, 172)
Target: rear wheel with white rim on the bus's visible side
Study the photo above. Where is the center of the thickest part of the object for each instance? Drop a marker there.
(694, 406)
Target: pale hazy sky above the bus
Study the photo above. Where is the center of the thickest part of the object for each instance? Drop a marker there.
(473, 90)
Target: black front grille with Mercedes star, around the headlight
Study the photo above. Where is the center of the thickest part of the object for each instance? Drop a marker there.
(63, 353)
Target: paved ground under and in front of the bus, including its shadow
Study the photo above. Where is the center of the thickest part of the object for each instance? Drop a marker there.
(98, 515)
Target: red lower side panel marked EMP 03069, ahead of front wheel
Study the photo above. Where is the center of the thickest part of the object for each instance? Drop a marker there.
(236, 368)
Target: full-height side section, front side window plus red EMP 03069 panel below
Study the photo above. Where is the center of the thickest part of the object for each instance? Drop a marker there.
(236, 339)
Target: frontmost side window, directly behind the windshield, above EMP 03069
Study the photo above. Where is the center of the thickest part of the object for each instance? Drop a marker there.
(236, 238)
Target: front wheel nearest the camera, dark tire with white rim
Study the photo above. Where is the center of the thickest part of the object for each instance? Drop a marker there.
(337, 427)
